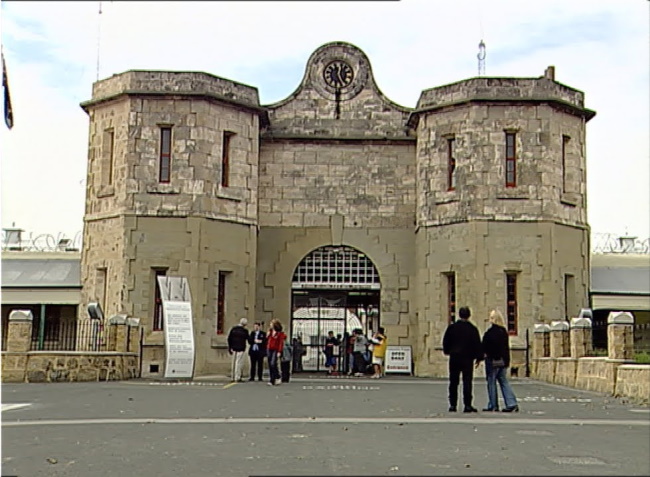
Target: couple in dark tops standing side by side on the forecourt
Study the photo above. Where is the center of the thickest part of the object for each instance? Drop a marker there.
(463, 344)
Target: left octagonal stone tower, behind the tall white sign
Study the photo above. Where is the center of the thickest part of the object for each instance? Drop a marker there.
(171, 190)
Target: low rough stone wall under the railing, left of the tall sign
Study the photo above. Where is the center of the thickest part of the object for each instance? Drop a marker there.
(67, 366)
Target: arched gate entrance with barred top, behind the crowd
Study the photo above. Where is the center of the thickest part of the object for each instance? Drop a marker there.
(333, 289)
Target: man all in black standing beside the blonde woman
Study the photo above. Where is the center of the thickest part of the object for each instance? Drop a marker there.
(462, 343)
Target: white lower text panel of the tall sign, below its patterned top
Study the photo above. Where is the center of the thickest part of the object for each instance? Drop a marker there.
(179, 339)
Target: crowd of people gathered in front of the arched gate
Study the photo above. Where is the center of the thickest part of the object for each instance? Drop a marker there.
(284, 355)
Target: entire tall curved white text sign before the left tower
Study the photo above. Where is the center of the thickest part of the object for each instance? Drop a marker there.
(178, 327)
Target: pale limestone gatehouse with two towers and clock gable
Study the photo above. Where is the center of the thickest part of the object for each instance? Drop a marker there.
(336, 208)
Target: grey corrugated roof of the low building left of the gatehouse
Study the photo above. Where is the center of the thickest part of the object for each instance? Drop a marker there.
(38, 273)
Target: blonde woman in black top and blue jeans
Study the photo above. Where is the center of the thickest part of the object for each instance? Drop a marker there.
(496, 347)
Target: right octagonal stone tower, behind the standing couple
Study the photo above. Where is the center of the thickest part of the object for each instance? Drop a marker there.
(501, 205)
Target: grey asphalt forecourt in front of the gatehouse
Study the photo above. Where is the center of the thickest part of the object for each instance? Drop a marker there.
(314, 426)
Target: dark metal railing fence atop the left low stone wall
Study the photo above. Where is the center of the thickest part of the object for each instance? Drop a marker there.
(92, 335)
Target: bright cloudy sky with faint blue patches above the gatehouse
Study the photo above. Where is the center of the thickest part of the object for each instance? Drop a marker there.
(51, 50)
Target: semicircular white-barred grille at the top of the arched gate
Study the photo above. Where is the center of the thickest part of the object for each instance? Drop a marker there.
(336, 267)
